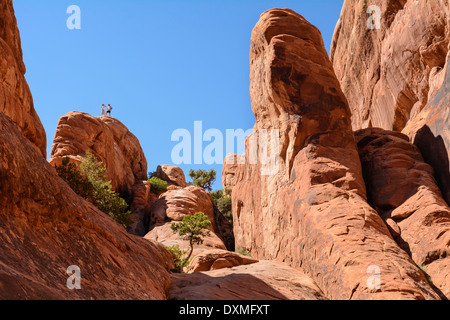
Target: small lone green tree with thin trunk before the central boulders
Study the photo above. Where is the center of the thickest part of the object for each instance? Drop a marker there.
(193, 228)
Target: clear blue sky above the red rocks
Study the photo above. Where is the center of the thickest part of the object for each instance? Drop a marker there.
(161, 64)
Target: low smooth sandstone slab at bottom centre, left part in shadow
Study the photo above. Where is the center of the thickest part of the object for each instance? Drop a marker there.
(264, 280)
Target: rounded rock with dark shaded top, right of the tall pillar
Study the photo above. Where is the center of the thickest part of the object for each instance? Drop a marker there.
(401, 187)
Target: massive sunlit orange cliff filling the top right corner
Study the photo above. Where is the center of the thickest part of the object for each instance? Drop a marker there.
(397, 77)
